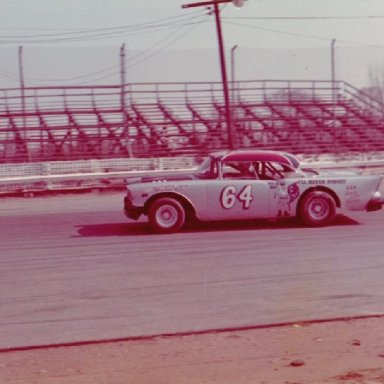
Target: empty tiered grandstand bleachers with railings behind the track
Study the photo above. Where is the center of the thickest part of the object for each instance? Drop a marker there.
(176, 119)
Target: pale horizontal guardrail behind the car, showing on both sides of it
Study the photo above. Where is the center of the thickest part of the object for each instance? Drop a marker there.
(104, 178)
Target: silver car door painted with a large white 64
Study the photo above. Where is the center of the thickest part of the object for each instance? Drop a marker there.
(238, 199)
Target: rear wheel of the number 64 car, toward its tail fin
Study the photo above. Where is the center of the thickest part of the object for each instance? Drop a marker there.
(317, 209)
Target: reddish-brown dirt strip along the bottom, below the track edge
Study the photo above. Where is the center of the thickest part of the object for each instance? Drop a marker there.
(348, 351)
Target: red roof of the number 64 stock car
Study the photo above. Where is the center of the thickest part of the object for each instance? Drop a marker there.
(258, 155)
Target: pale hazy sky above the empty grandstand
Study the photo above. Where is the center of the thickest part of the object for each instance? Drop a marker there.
(77, 42)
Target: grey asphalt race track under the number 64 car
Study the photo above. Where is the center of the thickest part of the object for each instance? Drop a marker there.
(73, 268)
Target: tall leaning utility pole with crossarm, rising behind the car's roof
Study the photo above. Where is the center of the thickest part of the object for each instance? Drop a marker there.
(216, 9)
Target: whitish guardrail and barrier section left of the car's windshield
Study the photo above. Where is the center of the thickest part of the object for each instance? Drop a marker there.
(30, 178)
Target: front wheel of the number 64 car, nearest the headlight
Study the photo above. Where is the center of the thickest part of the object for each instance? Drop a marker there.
(166, 215)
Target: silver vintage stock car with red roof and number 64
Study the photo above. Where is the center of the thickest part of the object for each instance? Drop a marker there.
(249, 184)
